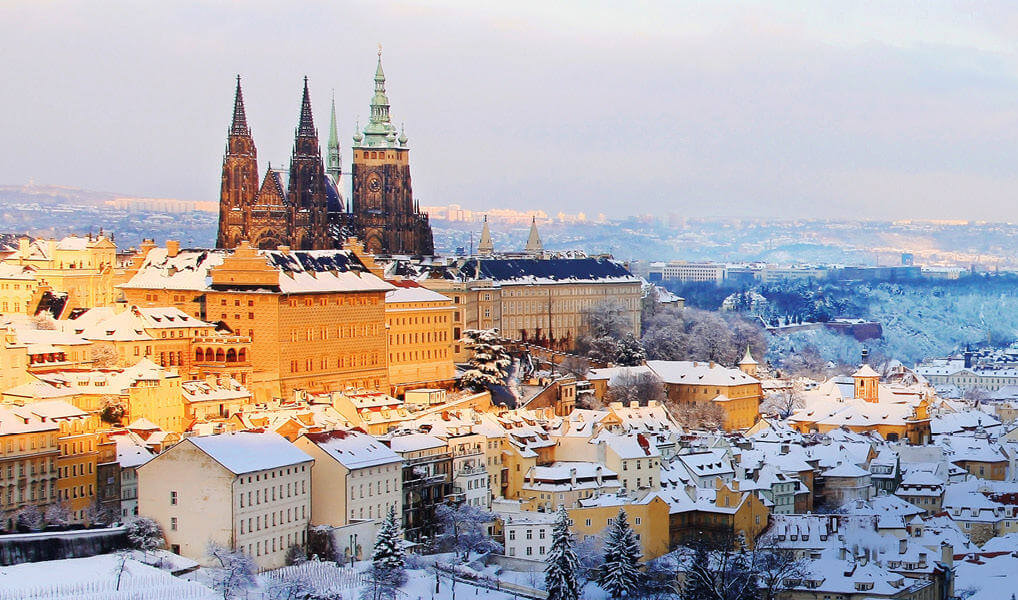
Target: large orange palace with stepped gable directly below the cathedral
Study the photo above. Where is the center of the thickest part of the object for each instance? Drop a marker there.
(315, 320)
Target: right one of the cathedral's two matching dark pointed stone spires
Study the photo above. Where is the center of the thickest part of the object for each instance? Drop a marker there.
(307, 195)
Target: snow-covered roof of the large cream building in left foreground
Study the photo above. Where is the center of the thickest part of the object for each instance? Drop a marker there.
(247, 452)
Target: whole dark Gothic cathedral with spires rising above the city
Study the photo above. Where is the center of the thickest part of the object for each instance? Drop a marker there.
(304, 208)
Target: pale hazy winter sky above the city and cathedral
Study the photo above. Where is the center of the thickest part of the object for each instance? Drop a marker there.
(853, 108)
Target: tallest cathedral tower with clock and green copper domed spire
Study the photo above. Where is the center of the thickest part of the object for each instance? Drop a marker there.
(385, 215)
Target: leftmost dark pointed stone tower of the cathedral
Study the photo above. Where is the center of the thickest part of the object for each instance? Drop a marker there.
(241, 181)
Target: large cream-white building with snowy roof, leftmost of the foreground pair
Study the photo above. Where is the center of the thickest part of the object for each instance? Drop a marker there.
(250, 492)
